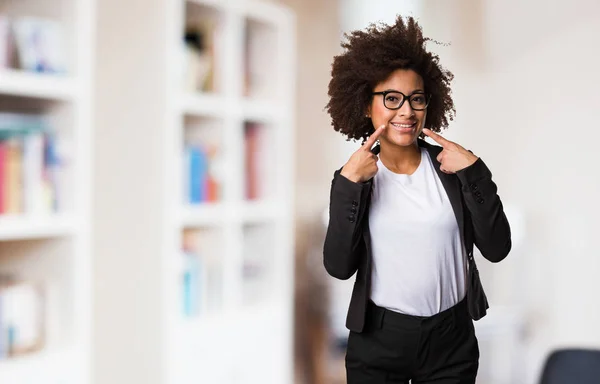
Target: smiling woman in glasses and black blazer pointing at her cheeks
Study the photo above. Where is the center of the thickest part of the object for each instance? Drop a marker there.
(405, 221)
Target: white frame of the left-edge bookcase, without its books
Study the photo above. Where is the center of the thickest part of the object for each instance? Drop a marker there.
(53, 249)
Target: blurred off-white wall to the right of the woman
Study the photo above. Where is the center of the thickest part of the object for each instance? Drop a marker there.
(527, 92)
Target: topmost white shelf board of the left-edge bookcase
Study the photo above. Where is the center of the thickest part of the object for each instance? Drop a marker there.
(35, 85)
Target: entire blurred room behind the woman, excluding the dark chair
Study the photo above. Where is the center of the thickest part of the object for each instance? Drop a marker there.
(165, 168)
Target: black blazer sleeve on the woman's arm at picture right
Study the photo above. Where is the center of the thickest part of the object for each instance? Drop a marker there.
(491, 228)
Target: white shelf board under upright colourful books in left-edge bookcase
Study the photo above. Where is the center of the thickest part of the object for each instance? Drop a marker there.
(24, 227)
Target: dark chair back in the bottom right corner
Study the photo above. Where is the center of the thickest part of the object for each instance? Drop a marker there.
(572, 366)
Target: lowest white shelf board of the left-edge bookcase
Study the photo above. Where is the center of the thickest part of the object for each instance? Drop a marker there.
(43, 367)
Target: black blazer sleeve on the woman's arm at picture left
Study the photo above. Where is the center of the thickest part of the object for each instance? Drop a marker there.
(344, 241)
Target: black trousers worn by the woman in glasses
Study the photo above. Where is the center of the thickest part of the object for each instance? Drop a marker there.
(395, 348)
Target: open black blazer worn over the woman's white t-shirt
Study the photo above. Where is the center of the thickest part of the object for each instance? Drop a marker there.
(478, 211)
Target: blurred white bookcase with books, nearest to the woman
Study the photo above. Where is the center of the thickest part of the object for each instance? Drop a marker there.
(229, 265)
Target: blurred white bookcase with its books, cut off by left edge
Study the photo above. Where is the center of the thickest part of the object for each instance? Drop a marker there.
(45, 128)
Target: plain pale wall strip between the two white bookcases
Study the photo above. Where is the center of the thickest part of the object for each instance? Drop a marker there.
(127, 188)
